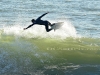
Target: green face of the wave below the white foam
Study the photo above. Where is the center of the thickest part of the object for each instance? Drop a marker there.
(48, 56)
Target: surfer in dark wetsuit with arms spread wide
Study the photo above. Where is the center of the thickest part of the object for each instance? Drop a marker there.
(41, 22)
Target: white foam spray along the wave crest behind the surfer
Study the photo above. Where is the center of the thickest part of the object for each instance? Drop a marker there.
(38, 31)
